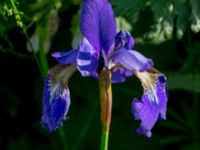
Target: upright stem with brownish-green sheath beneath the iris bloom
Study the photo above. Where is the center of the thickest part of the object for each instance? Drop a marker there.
(105, 91)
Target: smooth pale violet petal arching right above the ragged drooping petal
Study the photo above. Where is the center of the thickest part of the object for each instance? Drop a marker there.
(131, 60)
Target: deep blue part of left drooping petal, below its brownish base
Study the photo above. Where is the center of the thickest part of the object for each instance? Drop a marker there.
(55, 107)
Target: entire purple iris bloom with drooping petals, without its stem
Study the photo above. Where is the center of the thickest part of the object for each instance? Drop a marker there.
(102, 48)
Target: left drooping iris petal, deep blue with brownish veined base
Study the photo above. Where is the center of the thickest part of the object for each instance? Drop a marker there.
(56, 97)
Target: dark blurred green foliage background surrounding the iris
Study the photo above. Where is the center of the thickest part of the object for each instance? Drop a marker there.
(168, 31)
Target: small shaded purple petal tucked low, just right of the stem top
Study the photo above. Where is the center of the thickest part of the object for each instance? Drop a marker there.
(120, 75)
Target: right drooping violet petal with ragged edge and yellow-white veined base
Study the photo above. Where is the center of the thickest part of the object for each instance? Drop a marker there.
(154, 101)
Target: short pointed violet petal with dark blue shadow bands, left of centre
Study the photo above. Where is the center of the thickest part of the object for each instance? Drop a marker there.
(87, 58)
